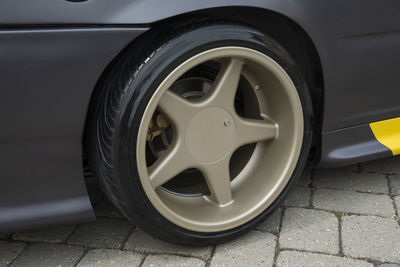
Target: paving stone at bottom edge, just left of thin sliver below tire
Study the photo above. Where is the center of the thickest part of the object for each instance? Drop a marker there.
(107, 257)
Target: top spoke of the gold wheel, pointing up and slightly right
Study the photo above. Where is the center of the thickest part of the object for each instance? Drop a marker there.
(226, 83)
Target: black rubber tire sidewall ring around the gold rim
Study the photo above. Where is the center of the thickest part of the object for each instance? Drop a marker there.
(144, 82)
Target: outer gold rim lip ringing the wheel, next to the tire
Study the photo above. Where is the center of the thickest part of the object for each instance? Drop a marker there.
(287, 84)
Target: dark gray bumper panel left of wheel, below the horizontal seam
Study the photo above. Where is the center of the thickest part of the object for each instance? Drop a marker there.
(47, 77)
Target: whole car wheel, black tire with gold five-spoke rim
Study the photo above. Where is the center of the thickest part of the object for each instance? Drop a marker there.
(200, 129)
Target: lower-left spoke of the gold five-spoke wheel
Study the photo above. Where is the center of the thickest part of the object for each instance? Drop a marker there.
(172, 162)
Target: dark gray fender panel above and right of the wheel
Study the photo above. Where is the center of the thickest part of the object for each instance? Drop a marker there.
(357, 42)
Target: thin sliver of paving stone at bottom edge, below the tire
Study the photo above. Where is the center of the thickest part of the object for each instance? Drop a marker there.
(172, 261)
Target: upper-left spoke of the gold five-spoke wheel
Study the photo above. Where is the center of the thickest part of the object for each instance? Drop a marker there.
(177, 109)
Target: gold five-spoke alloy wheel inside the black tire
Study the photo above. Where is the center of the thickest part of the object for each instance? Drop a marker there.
(206, 132)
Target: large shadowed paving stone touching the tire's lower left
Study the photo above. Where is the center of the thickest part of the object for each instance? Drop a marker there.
(103, 233)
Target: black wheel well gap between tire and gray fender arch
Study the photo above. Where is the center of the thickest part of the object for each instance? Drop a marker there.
(286, 31)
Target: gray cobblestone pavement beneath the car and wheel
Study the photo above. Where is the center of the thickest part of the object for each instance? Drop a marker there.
(332, 217)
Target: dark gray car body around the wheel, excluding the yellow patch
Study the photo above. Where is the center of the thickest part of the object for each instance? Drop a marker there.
(53, 52)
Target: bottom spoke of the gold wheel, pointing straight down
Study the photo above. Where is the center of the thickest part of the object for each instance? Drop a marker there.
(218, 180)
